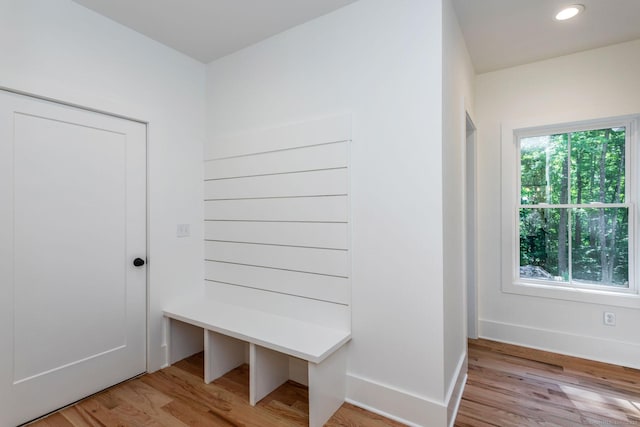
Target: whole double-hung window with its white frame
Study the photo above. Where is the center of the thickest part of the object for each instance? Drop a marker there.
(572, 220)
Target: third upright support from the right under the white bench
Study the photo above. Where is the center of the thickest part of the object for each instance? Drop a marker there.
(221, 354)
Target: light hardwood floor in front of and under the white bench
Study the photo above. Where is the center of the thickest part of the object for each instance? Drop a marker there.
(177, 396)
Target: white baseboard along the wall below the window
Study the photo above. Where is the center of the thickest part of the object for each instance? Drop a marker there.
(586, 347)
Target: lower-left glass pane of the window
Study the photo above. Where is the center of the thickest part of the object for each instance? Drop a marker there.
(544, 244)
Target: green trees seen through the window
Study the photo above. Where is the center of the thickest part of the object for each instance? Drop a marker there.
(574, 223)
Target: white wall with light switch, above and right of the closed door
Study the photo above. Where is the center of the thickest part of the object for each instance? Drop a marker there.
(58, 49)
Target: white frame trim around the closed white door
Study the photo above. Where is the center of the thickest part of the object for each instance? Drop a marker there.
(146, 186)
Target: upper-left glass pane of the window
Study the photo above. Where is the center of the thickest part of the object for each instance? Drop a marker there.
(544, 169)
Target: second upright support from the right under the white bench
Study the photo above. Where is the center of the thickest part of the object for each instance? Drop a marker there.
(268, 370)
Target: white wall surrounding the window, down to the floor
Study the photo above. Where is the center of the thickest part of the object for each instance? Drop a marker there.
(593, 84)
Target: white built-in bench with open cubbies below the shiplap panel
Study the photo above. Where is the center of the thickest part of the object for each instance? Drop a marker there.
(272, 339)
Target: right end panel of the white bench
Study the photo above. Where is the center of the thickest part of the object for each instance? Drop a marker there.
(327, 387)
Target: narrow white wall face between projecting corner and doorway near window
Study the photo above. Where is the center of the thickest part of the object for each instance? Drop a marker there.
(458, 81)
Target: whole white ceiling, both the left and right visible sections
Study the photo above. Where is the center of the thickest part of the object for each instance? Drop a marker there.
(499, 33)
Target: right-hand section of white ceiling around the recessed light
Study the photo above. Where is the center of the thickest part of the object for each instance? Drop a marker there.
(505, 33)
